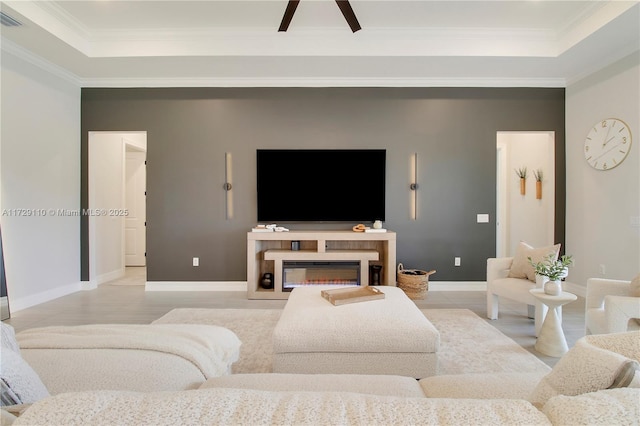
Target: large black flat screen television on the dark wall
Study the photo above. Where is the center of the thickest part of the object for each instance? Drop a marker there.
(321, 185)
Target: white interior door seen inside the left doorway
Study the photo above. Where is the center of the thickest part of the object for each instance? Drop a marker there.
(135, 187)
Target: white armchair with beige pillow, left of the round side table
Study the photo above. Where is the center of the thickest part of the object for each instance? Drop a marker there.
(500, 285)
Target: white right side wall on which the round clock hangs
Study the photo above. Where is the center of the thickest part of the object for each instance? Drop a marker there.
(603, 206)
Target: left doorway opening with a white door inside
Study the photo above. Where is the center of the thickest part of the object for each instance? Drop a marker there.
(117, 207)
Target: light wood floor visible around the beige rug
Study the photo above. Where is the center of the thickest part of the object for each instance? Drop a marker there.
(125, 301)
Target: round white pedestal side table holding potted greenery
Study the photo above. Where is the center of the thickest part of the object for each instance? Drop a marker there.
(551, 340)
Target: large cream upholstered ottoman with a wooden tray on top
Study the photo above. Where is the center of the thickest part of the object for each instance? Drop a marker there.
(385, 336)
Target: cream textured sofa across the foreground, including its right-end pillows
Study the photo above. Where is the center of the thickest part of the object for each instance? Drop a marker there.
(596, 382)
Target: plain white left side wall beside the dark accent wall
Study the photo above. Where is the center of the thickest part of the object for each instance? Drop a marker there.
(40, 142)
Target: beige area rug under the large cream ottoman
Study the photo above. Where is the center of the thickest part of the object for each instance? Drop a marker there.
(467, 343)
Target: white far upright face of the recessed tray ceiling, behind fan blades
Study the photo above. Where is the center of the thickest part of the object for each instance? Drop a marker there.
(323, 42)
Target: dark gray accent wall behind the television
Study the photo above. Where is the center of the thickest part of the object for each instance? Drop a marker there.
(453, 130)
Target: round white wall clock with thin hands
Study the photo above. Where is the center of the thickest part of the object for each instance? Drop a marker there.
(607, 144)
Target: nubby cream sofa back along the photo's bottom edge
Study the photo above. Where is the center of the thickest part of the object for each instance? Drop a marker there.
(252, 407)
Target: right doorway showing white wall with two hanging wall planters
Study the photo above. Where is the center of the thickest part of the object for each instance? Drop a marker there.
(524, 217)
